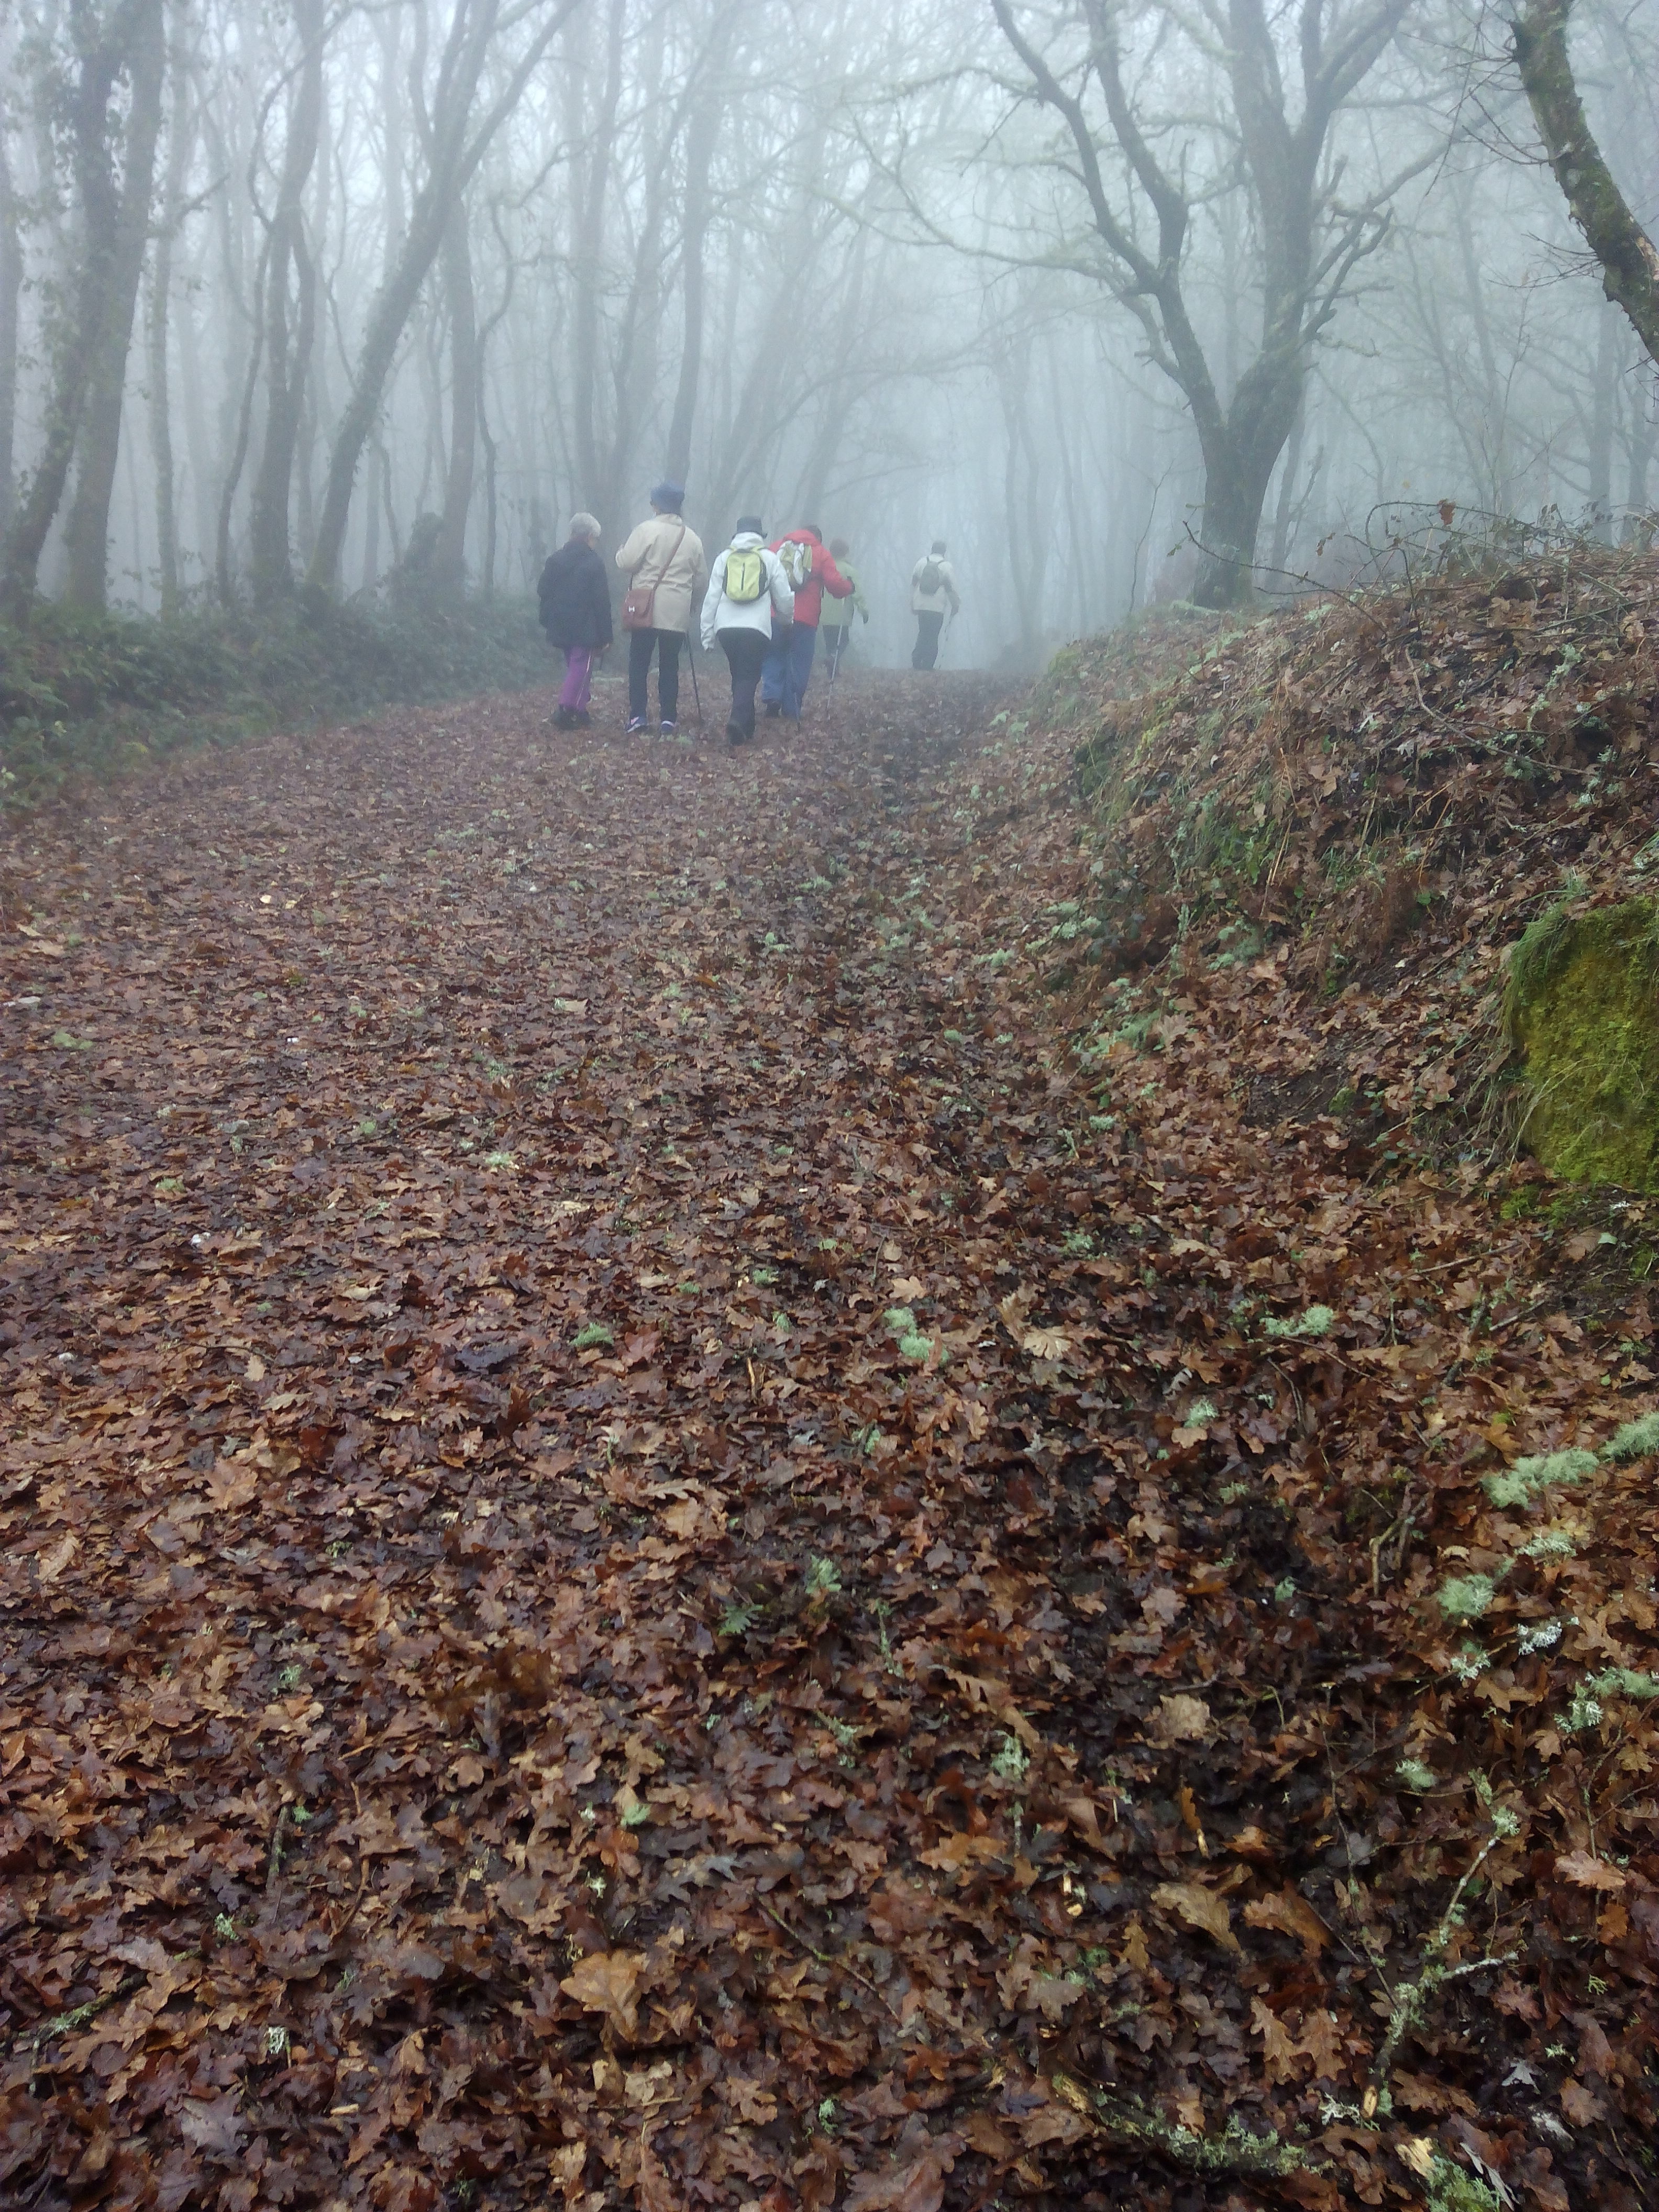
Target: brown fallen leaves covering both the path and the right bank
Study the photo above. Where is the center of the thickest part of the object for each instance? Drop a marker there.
(716, 1499)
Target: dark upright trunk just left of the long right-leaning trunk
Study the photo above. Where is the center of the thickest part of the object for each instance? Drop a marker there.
(289, 359)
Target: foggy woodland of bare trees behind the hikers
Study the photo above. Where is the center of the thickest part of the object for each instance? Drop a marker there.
(371, 300)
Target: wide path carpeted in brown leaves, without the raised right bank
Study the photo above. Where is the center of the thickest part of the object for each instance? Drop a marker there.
(594, 1605)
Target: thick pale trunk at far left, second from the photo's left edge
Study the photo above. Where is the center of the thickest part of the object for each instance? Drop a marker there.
(129, 218)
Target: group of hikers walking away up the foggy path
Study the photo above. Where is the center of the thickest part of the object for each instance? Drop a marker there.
(762, 603)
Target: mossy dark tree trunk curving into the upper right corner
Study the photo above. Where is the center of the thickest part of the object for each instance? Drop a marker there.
(1594, 200)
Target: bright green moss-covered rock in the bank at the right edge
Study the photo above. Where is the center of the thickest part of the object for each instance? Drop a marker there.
(1583, 1012)
